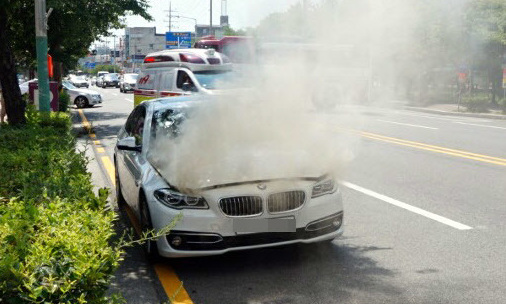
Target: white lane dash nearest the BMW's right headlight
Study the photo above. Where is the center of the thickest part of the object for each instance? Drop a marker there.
(408, 207)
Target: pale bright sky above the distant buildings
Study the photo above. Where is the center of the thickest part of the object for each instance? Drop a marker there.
(242, 13)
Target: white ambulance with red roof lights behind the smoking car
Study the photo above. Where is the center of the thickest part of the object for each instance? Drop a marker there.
(181, 72)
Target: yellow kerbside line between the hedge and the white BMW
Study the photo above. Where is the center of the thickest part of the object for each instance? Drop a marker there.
(168, 278)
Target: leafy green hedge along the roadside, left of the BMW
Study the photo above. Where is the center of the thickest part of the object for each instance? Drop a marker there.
(55, 233)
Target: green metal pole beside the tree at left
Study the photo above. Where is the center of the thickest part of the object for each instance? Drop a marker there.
(41, 46)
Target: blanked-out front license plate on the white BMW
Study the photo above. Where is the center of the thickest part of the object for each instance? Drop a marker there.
(245, 225)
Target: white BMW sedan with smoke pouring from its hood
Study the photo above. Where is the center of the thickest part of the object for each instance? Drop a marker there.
(221, 217)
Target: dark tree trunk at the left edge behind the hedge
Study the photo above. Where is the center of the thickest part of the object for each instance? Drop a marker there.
(14, 104)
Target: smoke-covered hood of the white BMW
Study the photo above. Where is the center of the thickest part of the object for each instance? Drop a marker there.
(238, 168)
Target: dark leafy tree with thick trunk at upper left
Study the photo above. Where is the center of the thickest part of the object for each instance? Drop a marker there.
(73, 26)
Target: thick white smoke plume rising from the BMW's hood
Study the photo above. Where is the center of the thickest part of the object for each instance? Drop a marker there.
(299, 90)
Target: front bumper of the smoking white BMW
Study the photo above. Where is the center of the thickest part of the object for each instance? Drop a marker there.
(208, 232)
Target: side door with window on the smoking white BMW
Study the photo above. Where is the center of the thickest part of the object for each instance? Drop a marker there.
(131, 173)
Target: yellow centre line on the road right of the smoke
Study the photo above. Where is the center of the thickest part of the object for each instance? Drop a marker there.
(437, 149)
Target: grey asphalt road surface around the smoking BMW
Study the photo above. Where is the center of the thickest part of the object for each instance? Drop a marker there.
(425, 203)
